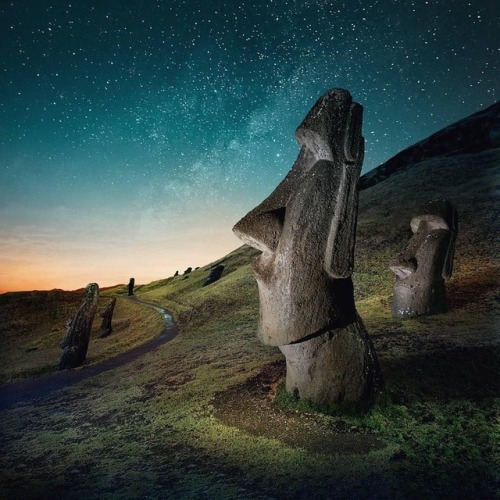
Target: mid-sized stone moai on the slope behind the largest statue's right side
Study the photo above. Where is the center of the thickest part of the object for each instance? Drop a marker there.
(425, 262)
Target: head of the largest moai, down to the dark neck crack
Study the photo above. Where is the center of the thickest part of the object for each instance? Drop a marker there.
(306, 228)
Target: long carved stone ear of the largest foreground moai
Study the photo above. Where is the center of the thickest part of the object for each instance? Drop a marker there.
(339, 258)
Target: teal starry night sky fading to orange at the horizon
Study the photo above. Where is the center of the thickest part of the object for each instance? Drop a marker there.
(133, 135)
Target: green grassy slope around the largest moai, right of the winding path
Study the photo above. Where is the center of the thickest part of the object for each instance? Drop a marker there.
(205, 416)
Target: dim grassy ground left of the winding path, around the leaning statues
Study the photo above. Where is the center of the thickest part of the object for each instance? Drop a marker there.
(32, 326)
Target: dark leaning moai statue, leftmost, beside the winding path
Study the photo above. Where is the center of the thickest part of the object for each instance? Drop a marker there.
(76, 341)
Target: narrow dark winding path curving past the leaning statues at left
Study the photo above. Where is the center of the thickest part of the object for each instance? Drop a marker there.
(40, 387)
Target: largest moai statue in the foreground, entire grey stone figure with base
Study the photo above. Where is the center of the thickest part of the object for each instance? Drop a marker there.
(306, 232)
